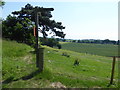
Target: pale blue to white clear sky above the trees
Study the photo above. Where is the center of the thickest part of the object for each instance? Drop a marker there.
(87, 19)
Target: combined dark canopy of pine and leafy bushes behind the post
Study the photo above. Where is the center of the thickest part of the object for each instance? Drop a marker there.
(19, 26)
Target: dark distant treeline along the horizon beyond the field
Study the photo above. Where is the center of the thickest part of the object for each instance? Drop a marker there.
(106, 41)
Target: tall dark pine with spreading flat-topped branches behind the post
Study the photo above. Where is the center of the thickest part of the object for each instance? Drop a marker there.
(45, 22)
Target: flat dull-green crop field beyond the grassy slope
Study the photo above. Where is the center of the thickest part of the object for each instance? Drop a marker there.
(97, 49)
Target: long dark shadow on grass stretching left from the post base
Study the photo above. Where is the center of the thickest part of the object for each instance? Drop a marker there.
(31, 75)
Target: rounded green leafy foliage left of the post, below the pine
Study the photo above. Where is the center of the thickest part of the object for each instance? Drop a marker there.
(19, 30)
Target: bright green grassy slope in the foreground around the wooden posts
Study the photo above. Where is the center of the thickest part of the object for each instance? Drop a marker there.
(19, 69)
